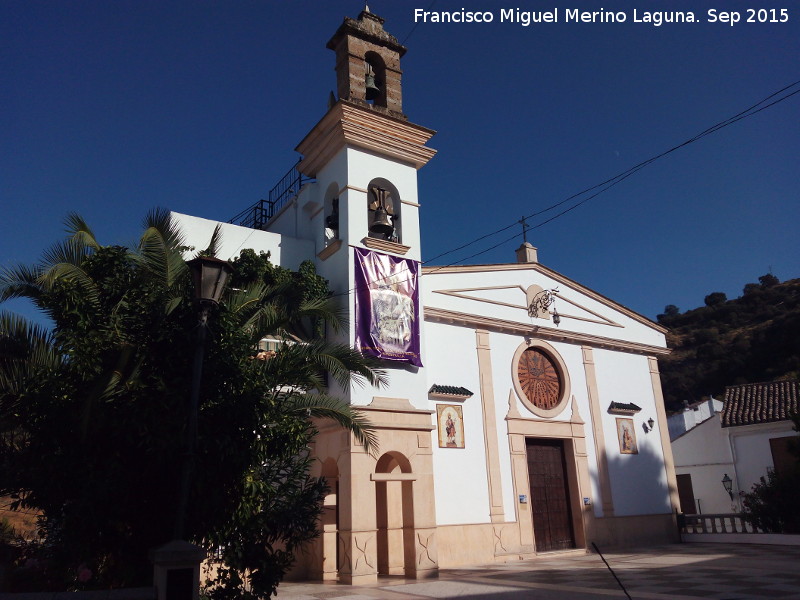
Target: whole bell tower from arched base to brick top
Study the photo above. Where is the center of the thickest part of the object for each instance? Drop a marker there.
(364, 155)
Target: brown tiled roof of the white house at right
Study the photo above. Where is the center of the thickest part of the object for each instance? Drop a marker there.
(754, 403)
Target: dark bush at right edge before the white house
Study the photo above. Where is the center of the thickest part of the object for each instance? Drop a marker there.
(772, 503)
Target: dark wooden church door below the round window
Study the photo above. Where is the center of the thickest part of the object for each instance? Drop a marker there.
(547, 473)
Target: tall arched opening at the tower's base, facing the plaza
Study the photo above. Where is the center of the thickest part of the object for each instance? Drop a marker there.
(394, 515)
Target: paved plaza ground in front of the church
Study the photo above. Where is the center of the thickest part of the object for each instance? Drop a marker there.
(674, 572)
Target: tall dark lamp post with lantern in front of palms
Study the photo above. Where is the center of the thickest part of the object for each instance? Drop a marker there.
(210, 276)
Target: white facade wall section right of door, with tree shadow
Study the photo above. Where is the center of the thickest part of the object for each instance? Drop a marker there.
(638, 481)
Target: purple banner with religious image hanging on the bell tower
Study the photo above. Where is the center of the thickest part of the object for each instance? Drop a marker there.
(387, 306)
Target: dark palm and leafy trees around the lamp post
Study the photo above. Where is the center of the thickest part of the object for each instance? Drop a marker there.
(93, 415)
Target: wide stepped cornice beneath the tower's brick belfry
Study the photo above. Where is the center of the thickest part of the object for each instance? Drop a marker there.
(348, 123)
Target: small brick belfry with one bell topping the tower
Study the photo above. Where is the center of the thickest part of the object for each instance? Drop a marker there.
(368, 64)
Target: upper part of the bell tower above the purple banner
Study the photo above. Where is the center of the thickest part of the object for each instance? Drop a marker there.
(365, 153)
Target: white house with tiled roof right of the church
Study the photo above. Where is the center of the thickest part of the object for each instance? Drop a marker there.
(744, 441)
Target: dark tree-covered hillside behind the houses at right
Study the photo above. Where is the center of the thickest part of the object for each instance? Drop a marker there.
(749, 339)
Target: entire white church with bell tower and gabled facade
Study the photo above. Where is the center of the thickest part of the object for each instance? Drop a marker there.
(507, 429)
